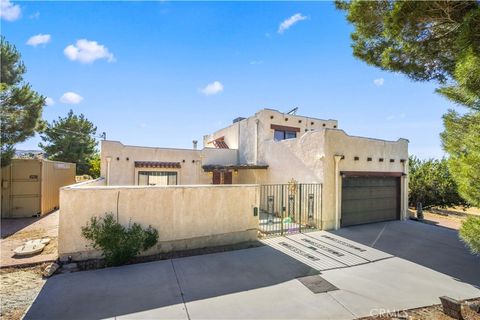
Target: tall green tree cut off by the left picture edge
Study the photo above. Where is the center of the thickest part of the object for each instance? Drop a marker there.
(21, 107)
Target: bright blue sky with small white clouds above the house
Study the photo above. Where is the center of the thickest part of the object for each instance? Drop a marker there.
(166, 73)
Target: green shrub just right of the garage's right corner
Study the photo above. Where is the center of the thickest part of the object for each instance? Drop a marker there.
(432, 184)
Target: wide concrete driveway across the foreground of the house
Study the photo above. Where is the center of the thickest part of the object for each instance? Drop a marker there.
(261, 283)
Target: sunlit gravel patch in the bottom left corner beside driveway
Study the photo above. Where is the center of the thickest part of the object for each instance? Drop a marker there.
(18, 290)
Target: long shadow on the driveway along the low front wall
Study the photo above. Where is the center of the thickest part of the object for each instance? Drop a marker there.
(130, 289)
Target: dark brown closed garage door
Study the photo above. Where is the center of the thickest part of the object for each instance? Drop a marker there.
(367, 199)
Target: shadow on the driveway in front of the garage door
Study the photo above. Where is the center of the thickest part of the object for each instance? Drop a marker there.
(434, 247)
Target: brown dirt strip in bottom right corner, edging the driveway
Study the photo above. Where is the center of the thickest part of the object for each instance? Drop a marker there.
(434, 312)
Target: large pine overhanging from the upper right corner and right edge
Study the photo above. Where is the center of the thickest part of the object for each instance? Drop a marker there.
(430, 41)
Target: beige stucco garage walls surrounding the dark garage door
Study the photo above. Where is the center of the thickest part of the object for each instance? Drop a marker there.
(310, 159)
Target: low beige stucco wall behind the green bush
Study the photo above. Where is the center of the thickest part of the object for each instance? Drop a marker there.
(186, 217)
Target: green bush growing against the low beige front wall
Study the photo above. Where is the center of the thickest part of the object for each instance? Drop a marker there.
(118, 243)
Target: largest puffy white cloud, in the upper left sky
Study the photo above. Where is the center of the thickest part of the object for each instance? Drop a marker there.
(86, 51)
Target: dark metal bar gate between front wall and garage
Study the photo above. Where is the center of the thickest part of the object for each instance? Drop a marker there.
(290, 208)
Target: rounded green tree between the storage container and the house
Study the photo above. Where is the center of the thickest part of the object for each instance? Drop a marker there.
(70, 139)
